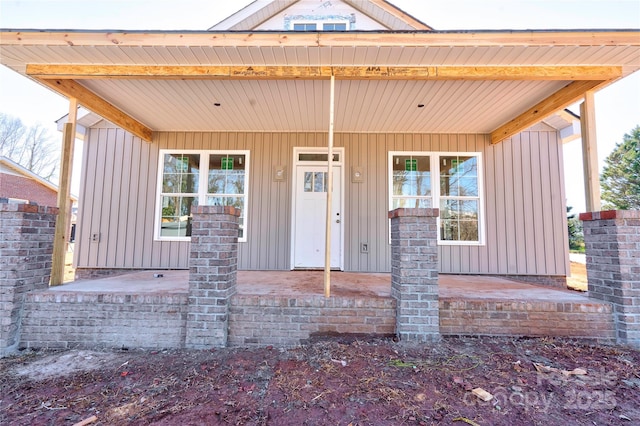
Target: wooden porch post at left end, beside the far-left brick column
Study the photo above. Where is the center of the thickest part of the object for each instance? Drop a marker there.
(61, 237)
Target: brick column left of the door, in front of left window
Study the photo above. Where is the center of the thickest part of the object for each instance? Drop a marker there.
(212, 275)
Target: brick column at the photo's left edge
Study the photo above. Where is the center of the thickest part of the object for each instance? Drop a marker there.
(26, 245)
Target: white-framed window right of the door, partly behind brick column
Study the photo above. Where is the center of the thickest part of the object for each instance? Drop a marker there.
(449, 181)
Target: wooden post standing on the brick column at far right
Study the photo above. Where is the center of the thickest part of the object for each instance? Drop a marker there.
(590, 153)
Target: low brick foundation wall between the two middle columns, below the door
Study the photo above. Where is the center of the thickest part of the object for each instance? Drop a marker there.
(286, 321)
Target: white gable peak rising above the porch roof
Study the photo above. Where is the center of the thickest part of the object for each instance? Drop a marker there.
(356, 15)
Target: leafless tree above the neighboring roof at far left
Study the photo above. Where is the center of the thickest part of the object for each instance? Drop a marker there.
(31, 147)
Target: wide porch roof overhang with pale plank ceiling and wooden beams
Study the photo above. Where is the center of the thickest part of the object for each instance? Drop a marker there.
(496, 82)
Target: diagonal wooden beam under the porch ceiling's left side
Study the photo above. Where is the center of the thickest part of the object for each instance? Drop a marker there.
(95, 103)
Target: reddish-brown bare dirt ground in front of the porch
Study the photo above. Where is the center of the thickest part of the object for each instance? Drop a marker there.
(338, 381)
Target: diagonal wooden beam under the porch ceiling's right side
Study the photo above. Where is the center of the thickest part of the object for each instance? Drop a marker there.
(564, 97)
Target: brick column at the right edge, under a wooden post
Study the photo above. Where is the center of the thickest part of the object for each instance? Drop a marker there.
(612, 240)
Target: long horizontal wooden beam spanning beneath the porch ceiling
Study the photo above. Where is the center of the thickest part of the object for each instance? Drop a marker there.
(173, 72)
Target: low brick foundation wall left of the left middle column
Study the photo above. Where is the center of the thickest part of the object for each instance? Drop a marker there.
(63, 320)
